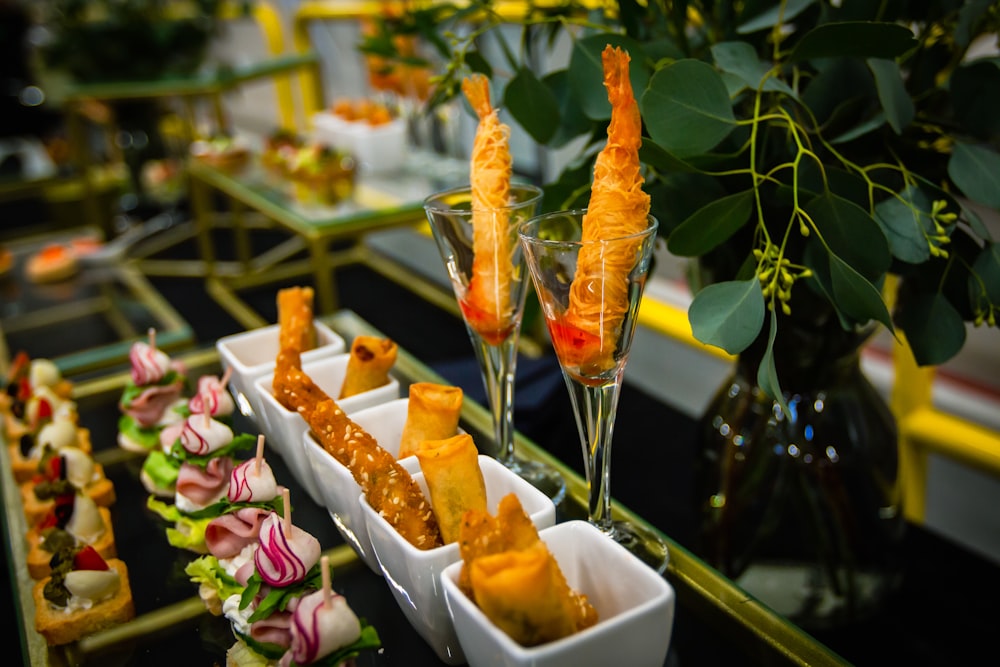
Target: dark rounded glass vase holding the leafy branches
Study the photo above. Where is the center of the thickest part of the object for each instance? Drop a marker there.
(804, 512)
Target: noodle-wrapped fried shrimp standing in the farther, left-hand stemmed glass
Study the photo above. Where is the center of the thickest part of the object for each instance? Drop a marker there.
(487, 304)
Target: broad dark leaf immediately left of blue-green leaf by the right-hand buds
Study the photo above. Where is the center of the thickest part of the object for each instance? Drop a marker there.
(851, 234)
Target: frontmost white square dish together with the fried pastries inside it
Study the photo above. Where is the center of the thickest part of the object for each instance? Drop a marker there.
(572, 597)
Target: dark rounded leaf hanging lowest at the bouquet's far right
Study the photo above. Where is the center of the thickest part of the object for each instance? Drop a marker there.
(933, 328)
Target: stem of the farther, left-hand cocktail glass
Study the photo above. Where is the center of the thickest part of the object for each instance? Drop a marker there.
(498, 364)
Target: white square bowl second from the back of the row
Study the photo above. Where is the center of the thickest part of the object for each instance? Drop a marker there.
(285, 429)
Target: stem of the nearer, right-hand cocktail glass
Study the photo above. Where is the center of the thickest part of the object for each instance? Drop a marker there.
(595, 409)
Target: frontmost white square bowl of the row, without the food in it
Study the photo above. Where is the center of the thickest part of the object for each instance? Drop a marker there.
(635, 608)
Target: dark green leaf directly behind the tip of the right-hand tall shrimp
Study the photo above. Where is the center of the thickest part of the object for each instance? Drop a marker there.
(586, 73)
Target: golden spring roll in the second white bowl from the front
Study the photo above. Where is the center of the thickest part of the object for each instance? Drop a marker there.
(454, 480)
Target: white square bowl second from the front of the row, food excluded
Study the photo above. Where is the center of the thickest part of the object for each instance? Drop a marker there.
(414, 575)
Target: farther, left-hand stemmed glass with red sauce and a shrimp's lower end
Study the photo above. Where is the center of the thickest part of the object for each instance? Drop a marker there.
(493, 309)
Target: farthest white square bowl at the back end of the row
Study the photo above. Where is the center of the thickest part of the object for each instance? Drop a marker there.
(252, 354)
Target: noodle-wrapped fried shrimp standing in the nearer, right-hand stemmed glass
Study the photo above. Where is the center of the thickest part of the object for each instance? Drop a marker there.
(618, 207)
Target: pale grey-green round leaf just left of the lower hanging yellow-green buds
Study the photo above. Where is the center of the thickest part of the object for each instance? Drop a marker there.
(728, 314)
